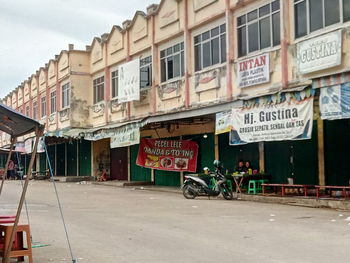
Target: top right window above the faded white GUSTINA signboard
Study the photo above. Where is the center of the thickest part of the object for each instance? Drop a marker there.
(312, 15)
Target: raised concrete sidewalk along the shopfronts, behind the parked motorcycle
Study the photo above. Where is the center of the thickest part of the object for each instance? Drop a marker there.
(333, 203)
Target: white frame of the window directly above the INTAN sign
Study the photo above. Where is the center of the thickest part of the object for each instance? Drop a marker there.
(257, 20)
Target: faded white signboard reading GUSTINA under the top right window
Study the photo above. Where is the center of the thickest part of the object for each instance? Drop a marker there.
(320, 52)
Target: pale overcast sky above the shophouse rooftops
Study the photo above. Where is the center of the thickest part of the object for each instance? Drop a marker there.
(33, 31)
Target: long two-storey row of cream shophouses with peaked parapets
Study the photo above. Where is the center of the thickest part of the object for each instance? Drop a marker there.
(263, 65)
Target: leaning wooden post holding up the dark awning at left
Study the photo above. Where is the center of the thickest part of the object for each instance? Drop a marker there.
(38, 133)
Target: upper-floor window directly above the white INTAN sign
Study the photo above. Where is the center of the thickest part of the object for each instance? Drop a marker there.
(259, 29)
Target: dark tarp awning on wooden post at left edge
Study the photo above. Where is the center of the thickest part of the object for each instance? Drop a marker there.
(16, 124)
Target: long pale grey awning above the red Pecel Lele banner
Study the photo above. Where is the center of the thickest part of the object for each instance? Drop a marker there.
(225, 106)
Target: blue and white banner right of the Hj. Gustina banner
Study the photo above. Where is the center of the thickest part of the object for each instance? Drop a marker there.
(335, 102)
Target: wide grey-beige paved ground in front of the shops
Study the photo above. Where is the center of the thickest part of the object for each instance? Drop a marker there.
(109, 224)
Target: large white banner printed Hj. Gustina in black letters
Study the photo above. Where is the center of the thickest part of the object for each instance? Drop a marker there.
(273, 122)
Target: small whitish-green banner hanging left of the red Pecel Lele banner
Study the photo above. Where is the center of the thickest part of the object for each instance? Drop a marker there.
(126, 136)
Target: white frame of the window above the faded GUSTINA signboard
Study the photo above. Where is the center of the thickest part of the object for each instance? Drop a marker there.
(324, 27)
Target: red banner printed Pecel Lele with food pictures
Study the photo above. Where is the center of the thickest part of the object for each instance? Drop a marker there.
(179, 155)
